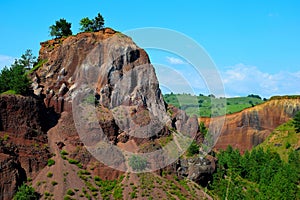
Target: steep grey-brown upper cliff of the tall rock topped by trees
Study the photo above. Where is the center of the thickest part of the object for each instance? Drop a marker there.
(118, 70)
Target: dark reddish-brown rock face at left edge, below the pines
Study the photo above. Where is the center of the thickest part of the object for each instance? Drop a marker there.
(24, 122)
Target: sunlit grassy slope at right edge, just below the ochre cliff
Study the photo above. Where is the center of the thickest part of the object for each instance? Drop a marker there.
(282, 140)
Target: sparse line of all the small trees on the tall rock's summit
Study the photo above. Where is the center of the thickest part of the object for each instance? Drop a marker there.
(62, 28)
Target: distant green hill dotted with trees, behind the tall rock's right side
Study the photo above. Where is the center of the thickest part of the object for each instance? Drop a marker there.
(207, 106)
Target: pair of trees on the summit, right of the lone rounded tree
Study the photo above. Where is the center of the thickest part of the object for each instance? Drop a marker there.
(88, 25)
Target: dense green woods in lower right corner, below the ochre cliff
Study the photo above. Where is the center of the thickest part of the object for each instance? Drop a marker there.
(257, 174)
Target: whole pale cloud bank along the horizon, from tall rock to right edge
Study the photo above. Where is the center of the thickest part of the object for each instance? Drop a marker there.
(238, 80)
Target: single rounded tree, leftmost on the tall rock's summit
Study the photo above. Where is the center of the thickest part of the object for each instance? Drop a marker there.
(60, 28)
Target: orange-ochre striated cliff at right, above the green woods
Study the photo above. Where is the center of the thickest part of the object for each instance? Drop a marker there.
(250, 127)
